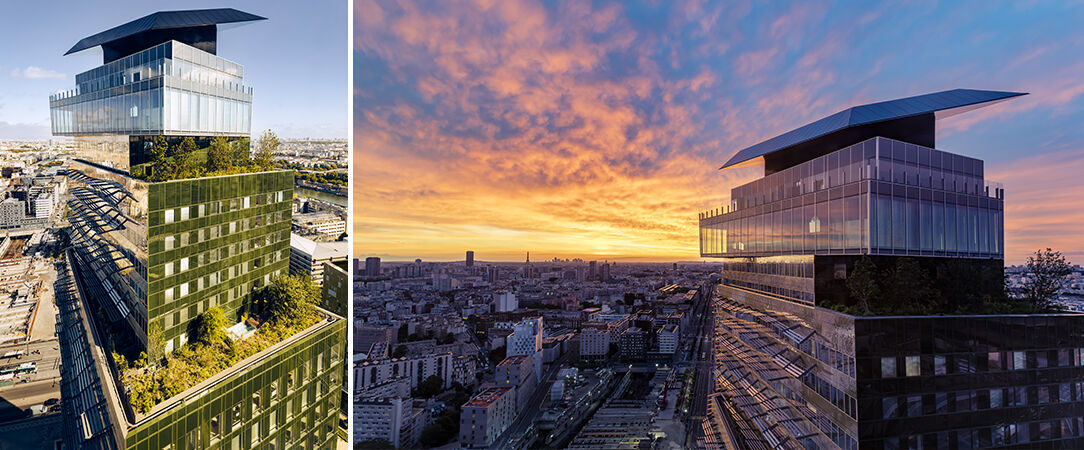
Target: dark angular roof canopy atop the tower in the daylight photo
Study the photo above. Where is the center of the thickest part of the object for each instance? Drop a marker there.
(195, 28)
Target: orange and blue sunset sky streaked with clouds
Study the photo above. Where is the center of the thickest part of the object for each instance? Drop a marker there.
(596, 130)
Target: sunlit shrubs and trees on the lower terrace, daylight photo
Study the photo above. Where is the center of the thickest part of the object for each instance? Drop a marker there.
(286, 307)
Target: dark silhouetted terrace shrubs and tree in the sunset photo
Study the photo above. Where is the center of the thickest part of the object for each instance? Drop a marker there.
(953, 288)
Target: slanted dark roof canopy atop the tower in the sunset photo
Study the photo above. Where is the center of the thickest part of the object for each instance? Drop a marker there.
(910, 120)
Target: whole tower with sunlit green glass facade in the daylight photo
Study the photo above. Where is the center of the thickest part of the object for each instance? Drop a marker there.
(154, 249)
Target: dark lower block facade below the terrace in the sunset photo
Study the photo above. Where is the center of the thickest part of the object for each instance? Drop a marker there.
(971, 382)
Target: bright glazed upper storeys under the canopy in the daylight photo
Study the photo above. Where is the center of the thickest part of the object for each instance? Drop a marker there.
(170, 89)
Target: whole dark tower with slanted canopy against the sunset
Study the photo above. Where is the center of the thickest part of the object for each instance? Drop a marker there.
(870, 182)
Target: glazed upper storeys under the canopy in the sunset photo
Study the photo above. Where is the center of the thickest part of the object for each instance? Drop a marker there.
(880, 197)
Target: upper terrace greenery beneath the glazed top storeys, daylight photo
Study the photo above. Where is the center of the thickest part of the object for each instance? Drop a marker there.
(186, 160)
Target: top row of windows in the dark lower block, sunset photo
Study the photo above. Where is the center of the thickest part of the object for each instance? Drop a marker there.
(993, 362)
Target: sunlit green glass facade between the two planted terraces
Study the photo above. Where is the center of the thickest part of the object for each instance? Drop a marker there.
(212, 242)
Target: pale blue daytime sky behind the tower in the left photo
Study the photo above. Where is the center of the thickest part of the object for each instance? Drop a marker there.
(296, 61)
